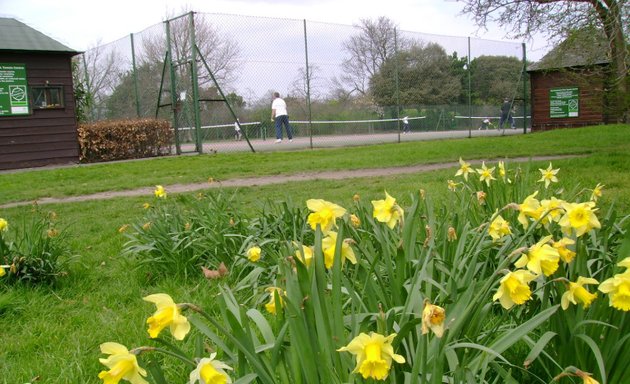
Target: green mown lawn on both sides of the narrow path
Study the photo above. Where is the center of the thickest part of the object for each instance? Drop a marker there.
(54, 332)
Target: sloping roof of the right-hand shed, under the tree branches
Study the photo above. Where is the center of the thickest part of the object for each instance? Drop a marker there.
(581, 48)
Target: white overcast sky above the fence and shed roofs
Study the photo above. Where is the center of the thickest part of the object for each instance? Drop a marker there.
(82, 24)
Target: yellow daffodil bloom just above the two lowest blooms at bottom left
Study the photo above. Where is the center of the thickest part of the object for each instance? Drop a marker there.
(166, 315)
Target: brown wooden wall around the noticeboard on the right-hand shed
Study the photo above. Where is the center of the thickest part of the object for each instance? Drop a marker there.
(591, 96)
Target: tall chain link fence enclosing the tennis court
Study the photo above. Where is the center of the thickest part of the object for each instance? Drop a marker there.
(213, 75)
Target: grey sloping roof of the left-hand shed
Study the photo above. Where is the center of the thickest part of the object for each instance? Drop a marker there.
(17, 36)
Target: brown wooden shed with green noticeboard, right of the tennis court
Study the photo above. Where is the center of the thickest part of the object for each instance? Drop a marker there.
(568, 84)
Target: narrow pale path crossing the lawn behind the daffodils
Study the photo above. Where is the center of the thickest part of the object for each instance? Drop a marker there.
(267, 180)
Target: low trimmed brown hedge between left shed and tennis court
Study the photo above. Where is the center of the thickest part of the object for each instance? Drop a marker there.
(124, 139)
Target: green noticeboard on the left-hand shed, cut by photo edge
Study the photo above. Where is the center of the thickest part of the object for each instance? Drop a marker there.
(13, 90)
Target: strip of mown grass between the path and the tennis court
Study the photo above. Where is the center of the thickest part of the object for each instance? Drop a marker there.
(86, 179)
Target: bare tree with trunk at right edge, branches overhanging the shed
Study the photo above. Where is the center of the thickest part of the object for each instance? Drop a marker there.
(557, 19)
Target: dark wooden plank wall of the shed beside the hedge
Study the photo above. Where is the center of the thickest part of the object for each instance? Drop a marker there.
(46, 136)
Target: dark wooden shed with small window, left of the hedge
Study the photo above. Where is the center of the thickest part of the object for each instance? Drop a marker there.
(38, 125)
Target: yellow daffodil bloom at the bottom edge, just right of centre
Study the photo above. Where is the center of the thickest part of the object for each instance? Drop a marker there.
(374, 353)
